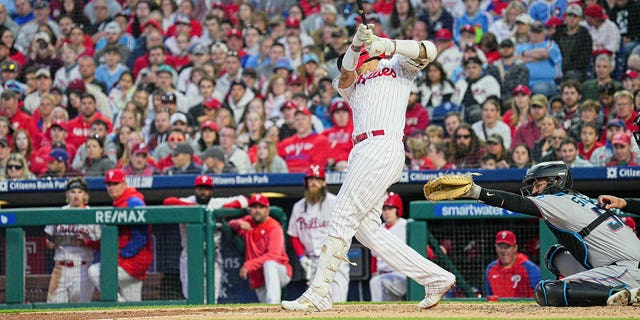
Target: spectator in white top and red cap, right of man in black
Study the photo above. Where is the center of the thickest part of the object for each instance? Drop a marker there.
(604, 32)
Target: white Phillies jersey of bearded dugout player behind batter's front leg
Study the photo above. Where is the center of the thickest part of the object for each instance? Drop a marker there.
(313, 225)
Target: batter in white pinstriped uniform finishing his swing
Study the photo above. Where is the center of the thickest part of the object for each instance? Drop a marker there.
(378, 93)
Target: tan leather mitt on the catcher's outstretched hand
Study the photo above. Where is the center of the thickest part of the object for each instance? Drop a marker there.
(448, 187)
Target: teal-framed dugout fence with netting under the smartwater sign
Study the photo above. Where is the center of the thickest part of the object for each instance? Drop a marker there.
(473, 225)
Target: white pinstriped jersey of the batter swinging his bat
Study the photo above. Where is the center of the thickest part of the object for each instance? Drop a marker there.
(388, 87)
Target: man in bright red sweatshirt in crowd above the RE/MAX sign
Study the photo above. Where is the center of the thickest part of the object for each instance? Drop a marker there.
(78, 128)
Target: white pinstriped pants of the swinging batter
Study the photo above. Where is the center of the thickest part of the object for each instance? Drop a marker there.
(374, 165)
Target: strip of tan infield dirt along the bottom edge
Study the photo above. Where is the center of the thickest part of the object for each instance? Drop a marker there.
(450, 310)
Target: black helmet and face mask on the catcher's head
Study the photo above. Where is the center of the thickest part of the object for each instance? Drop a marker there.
(558, 174)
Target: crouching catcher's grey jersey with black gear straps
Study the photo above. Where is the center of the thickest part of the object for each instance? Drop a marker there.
(612, 241)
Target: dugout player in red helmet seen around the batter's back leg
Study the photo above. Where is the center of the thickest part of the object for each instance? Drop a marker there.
(387, 284)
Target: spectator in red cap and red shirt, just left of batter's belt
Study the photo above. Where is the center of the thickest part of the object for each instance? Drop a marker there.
(340, 135)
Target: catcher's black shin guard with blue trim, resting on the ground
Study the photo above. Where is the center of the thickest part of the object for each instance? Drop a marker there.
(555, 293)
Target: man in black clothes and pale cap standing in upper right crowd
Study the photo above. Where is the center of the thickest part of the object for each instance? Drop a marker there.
(575, 59)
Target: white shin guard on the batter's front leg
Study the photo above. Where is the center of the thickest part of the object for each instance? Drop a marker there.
(334, 251)
